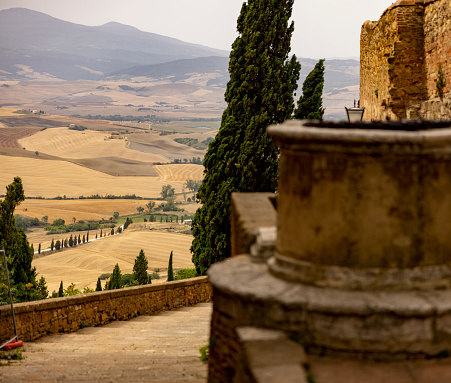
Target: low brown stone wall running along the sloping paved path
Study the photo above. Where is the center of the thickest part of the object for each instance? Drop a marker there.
(68, 314)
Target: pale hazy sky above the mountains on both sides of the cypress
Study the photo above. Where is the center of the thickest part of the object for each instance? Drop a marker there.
(323, 28)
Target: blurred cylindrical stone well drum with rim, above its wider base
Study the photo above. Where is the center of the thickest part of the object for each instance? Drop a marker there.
(364, 206)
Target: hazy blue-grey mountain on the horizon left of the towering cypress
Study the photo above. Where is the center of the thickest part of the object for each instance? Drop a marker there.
(57, 48)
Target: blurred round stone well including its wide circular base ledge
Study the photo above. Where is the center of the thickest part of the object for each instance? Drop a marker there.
(363, 250)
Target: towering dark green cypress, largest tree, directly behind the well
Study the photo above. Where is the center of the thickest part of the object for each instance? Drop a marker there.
(260, 93)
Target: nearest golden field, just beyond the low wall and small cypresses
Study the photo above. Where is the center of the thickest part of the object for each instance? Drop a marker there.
(83, 264)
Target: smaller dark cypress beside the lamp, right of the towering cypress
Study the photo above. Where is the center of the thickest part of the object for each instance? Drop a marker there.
(310, 104)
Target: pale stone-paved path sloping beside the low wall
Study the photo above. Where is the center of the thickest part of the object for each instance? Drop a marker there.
(160, 348)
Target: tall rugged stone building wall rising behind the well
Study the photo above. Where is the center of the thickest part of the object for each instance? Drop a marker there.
(400, 56)
